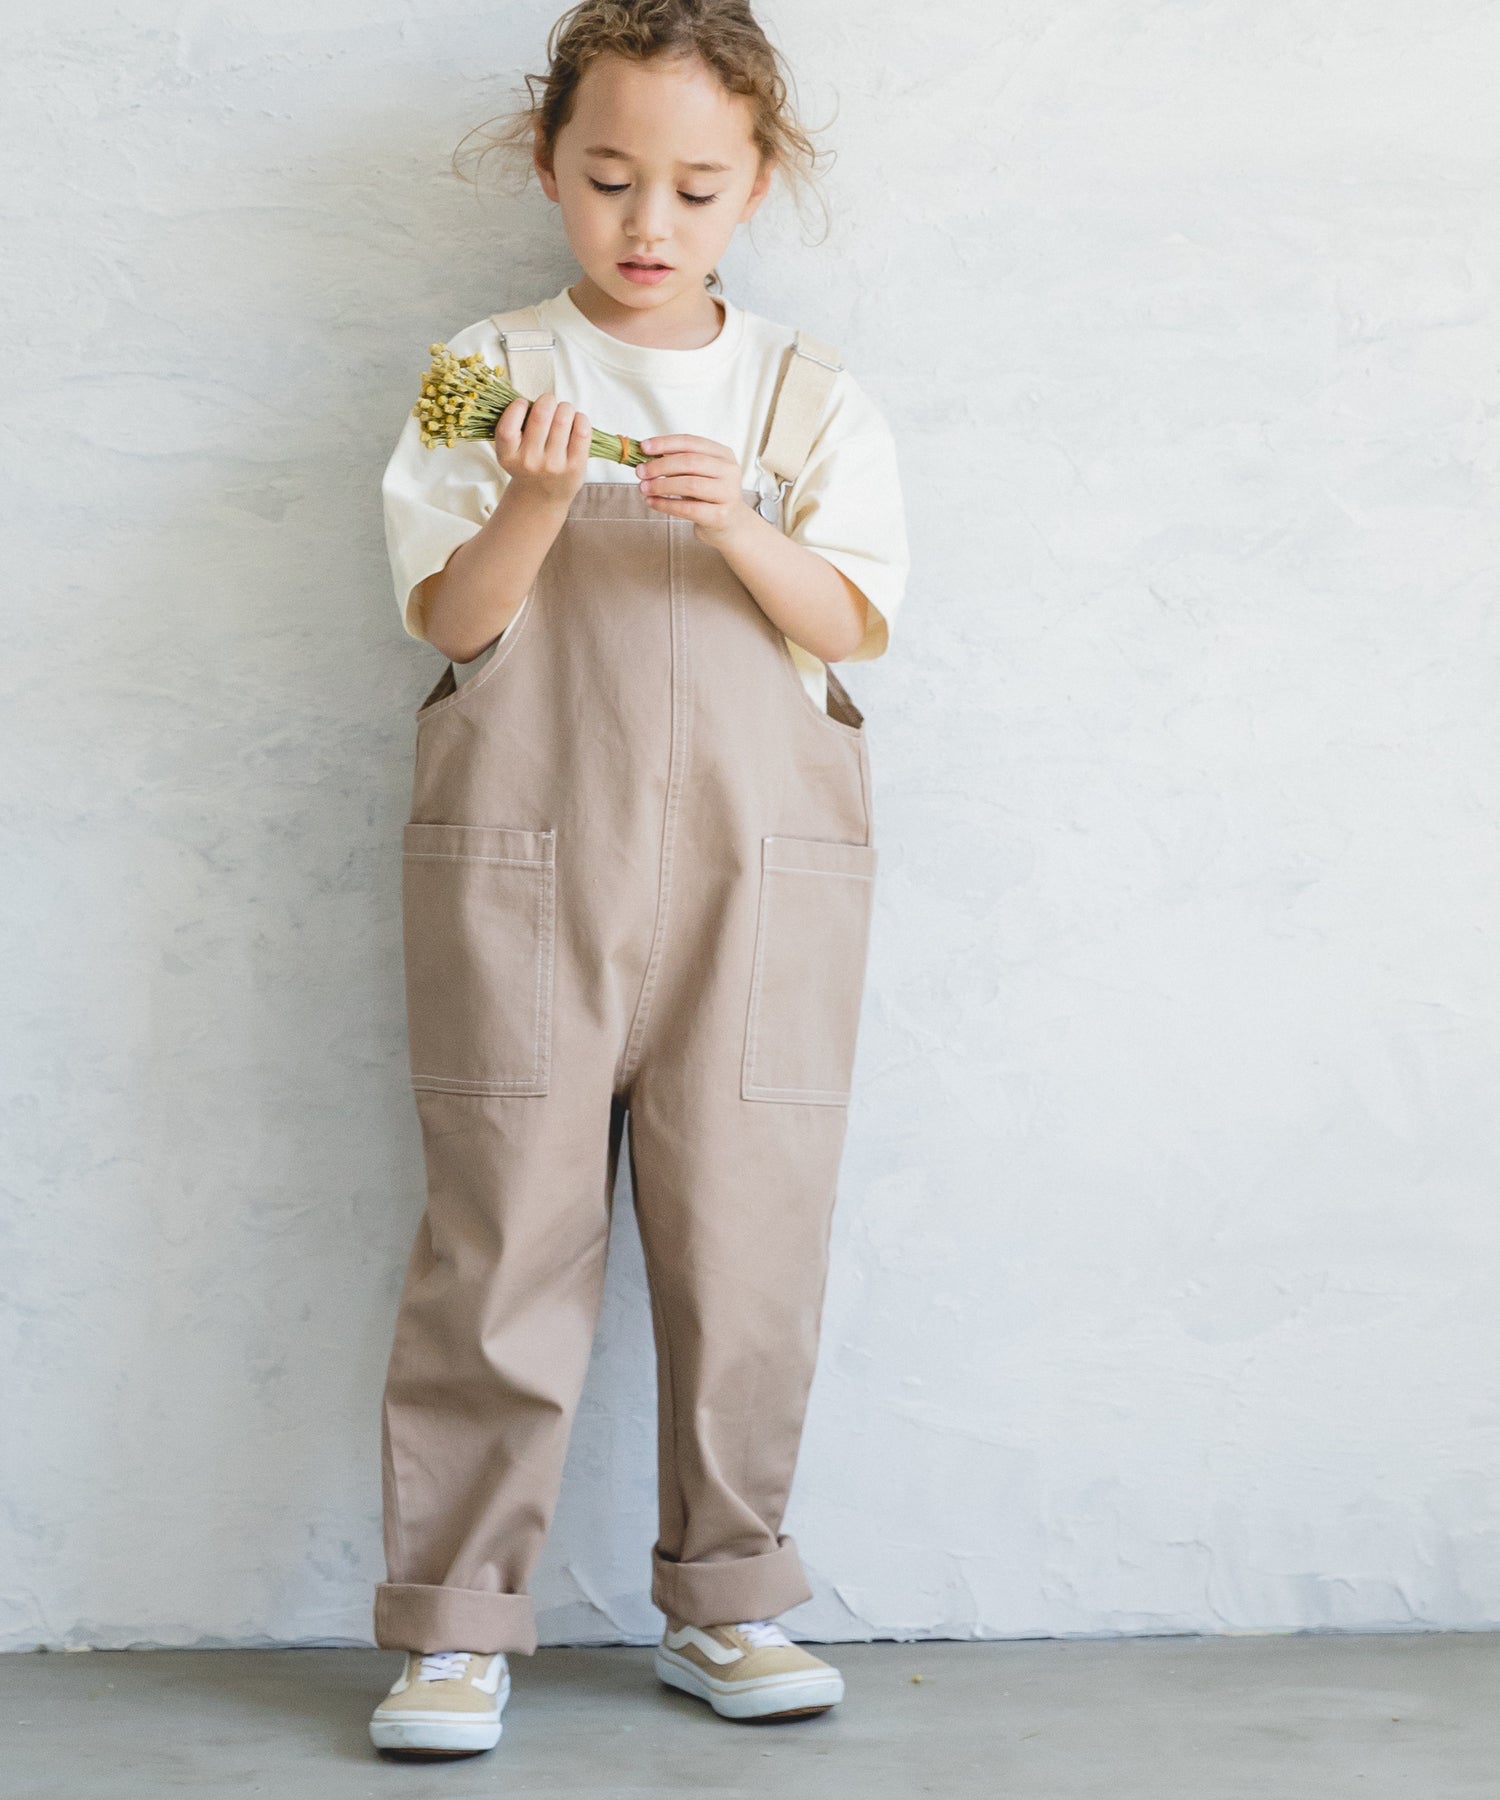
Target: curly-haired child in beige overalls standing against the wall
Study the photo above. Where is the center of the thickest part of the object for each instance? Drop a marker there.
(637, 883)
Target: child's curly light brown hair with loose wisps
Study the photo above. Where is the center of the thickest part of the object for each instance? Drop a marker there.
(725, 35)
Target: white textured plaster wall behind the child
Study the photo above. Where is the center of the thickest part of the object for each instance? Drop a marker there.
(1166, 1264)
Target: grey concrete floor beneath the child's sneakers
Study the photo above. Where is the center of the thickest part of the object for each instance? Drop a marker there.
(1274, 1718)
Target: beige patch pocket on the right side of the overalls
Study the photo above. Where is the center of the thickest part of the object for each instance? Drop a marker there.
(808, 980)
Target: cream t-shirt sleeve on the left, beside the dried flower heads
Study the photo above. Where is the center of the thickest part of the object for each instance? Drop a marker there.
(437, 499)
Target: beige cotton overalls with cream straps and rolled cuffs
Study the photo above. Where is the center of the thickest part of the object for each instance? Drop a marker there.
(637, 879)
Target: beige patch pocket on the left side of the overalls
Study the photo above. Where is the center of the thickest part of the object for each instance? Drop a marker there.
(478, 926)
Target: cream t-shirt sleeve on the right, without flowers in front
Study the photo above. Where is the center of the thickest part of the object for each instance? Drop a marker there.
(847, 505)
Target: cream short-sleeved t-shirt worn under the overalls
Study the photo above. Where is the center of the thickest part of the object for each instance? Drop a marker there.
(845, 505)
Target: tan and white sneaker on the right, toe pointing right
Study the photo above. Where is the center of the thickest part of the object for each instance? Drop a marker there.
(750, 1671)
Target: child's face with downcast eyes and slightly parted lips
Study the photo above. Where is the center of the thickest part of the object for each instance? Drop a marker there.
(656, 165)
